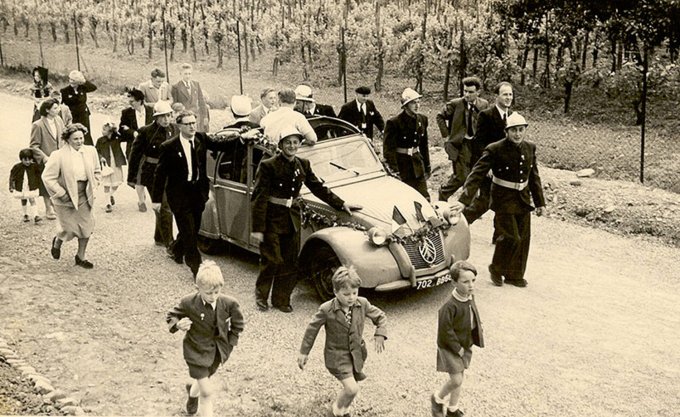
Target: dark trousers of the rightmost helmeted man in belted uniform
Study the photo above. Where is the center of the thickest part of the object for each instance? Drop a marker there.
(512, 245)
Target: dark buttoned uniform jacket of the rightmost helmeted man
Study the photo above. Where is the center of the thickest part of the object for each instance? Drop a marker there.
(509, 162)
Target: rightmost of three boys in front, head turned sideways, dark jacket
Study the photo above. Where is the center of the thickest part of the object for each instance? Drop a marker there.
(459, 328)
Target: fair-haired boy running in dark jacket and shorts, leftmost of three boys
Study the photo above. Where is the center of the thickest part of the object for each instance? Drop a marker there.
(212, 322)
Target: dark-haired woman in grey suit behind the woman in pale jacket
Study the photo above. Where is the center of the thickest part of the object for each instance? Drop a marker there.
(45, 139)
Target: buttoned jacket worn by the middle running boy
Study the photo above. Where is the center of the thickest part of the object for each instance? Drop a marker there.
(338, 353)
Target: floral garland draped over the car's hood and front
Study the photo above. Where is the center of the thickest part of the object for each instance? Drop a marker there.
(313, 218)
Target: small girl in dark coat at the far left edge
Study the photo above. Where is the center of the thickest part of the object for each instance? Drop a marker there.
(24, 184)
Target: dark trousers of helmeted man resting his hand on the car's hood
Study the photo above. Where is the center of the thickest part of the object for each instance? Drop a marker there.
(278, 268)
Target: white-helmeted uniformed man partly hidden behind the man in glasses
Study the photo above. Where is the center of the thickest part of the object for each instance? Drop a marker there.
(144, 157)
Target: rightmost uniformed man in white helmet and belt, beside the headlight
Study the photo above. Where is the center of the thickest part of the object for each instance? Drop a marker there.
(515, 183)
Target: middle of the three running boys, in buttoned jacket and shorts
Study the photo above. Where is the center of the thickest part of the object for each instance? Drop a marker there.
(345, 351)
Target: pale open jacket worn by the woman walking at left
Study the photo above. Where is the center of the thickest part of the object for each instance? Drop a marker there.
(59, 179)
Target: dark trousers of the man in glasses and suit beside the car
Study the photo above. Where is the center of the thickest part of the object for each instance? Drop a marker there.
(188, 223)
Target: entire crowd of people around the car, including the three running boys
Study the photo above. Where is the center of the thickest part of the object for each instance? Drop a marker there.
(164, 130)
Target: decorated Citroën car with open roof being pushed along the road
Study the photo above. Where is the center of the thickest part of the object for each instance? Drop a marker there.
(397, 240)
